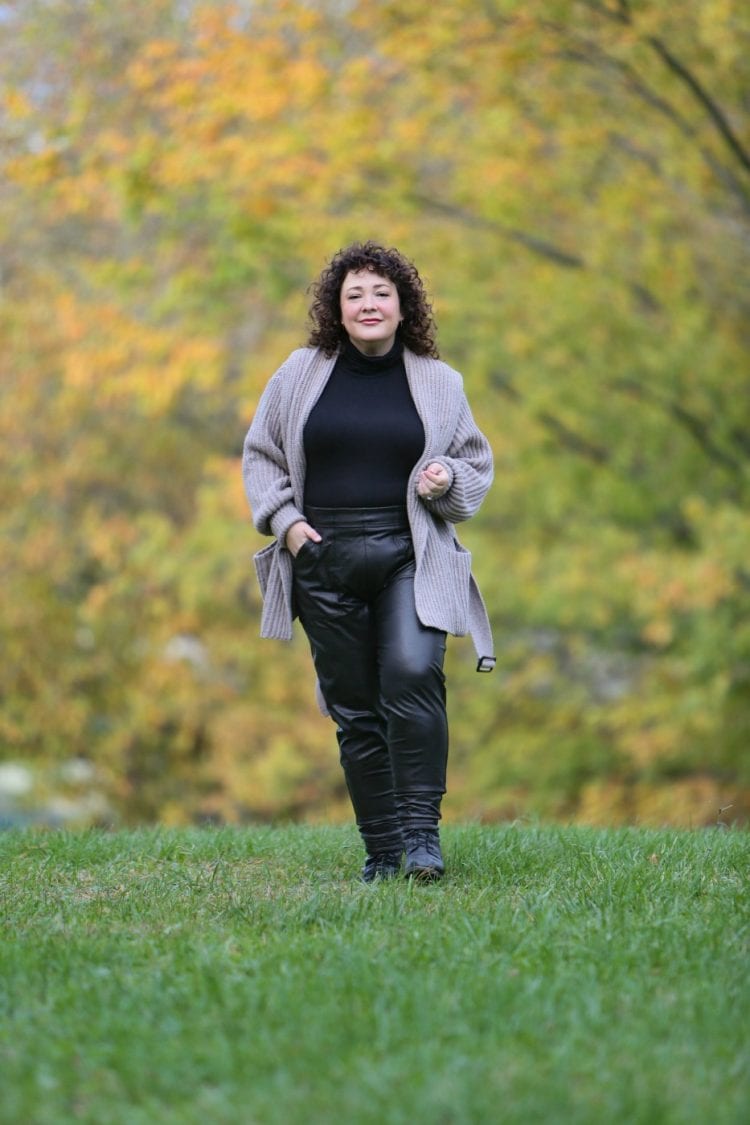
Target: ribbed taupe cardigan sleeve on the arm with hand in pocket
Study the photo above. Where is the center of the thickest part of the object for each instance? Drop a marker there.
(265, 464)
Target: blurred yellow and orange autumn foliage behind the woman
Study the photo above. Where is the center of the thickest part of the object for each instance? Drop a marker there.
(574, 182)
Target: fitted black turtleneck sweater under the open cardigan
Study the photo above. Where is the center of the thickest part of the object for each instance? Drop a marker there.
(364, 436)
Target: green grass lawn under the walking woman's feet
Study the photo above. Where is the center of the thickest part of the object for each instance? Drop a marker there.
(557, 975)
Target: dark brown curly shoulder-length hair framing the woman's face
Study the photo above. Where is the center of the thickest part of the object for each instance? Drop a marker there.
(418, 329)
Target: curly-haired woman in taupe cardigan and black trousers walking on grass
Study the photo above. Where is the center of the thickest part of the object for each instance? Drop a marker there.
(363, 456)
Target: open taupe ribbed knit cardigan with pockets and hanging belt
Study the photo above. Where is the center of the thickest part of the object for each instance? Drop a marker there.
(274, 472)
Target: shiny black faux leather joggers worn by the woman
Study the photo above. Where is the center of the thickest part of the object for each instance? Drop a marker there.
(379, 669)
